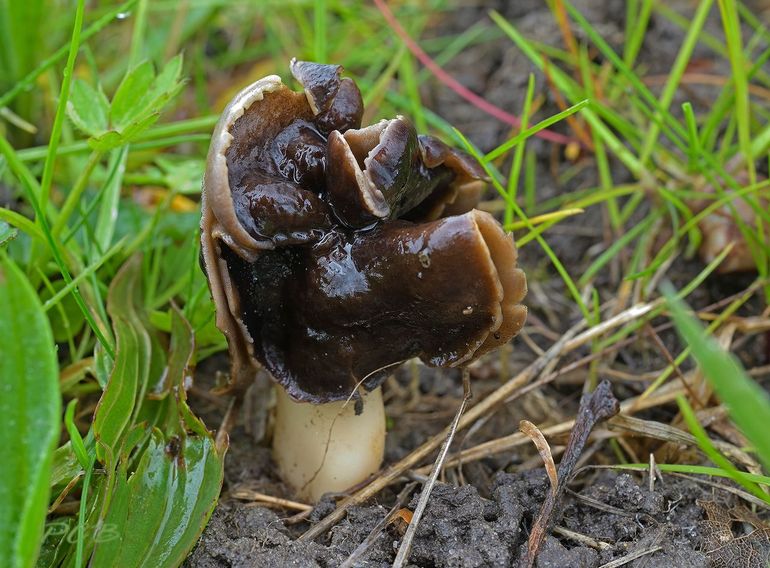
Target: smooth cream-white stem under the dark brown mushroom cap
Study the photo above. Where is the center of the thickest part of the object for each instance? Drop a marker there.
(322, 448)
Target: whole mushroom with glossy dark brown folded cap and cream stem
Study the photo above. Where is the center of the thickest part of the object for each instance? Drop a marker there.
(334, 253)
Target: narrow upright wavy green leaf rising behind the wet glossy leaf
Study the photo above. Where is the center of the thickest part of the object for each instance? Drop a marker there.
(132, 360)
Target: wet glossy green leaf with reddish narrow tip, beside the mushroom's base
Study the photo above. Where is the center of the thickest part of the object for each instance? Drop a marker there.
(158, 512)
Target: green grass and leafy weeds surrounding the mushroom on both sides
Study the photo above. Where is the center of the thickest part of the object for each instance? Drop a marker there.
(104, 130)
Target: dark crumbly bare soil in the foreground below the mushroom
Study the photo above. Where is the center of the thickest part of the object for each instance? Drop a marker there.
(463, 529)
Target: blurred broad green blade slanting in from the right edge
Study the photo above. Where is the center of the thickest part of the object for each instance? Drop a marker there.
(747, 403)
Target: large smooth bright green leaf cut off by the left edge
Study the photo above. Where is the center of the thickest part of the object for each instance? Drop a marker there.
(30, 409)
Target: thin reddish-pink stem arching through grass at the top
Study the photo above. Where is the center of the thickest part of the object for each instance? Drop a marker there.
(457, 87)
